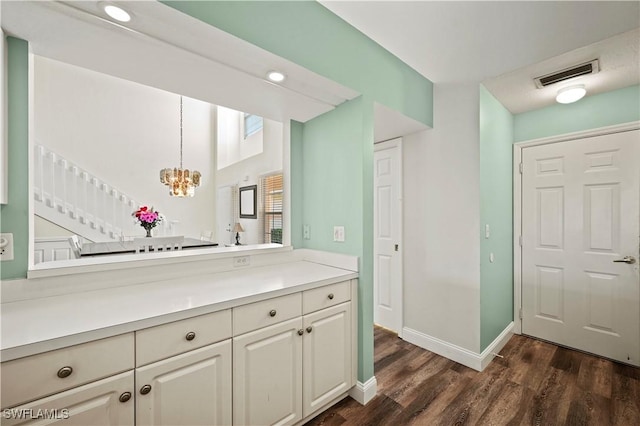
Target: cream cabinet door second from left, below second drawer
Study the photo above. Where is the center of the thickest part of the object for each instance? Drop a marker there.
(193, 388)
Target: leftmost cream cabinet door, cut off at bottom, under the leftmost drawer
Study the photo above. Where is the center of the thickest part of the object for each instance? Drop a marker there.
(96, 403)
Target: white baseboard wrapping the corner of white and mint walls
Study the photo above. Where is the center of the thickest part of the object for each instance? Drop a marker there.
(456, 353)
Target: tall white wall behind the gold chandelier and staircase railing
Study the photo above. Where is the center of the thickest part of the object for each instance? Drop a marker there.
(124, 133)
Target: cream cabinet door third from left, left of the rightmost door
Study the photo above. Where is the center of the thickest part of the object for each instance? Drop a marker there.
(267, 375)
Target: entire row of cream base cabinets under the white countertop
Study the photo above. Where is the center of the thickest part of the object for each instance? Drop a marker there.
(272, 362)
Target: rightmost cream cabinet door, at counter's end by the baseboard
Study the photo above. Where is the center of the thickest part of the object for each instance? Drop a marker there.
(327, 357)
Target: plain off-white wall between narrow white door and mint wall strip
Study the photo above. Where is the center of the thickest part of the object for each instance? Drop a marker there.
(441, 221)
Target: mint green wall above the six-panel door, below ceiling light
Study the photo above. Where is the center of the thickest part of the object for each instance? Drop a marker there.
(605, 109)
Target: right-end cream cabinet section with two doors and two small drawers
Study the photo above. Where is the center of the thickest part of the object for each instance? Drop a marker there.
(292, 369)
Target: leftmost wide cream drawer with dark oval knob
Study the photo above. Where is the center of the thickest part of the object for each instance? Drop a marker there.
(29, 378)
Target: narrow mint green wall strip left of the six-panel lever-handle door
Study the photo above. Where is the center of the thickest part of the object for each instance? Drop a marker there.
(496, 209)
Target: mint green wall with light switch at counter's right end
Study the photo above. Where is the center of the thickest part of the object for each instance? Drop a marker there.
(337, 188)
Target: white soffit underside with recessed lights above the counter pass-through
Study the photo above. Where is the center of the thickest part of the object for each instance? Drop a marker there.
(164, 48)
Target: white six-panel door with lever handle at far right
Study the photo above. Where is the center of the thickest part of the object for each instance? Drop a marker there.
(580, 221)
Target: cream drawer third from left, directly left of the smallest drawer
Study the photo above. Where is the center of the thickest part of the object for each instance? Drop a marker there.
(267, 312)
